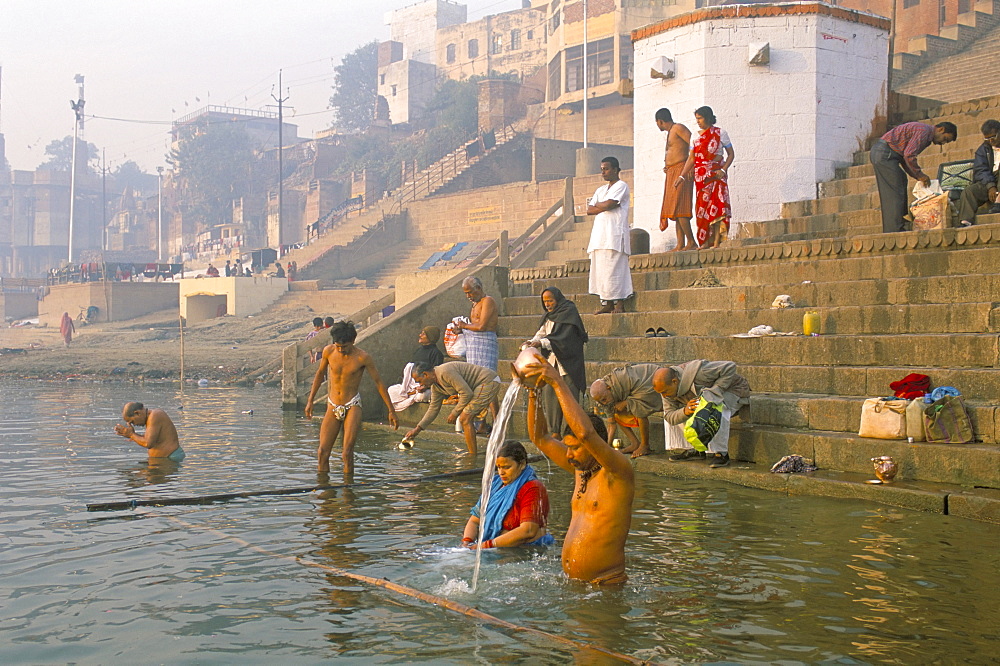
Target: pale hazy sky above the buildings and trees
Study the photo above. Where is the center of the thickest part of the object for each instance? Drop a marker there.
(147, 63)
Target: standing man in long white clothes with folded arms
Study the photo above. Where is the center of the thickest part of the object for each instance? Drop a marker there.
(609, 245)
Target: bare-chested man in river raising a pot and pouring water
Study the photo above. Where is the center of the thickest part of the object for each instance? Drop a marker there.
(594, 549)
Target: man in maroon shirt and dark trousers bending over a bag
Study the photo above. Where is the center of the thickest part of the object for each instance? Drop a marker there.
(894, 156)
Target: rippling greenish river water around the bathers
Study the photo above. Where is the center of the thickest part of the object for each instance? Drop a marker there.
(718, 573)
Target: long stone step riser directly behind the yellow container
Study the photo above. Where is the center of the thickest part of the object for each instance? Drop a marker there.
(842, 320)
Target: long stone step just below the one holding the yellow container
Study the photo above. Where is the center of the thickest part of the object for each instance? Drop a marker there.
(960, 350)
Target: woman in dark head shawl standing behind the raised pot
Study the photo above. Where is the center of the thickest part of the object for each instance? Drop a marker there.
(561, 336)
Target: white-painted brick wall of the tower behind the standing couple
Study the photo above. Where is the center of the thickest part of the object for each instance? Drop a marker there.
(792, 122)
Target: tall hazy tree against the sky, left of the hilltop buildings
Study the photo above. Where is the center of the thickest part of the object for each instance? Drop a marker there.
(355, 87)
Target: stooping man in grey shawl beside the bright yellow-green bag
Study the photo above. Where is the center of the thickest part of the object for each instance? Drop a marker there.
(680, 386)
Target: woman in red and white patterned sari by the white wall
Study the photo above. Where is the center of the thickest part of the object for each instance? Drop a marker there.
(710, 158)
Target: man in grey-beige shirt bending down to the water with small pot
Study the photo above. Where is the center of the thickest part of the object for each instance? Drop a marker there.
(475, 386)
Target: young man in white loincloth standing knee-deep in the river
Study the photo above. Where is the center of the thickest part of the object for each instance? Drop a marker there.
(343, 365)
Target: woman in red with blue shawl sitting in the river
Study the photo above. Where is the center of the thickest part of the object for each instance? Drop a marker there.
(518, 508)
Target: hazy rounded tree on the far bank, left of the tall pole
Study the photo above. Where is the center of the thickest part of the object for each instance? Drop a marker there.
(214, 163)
